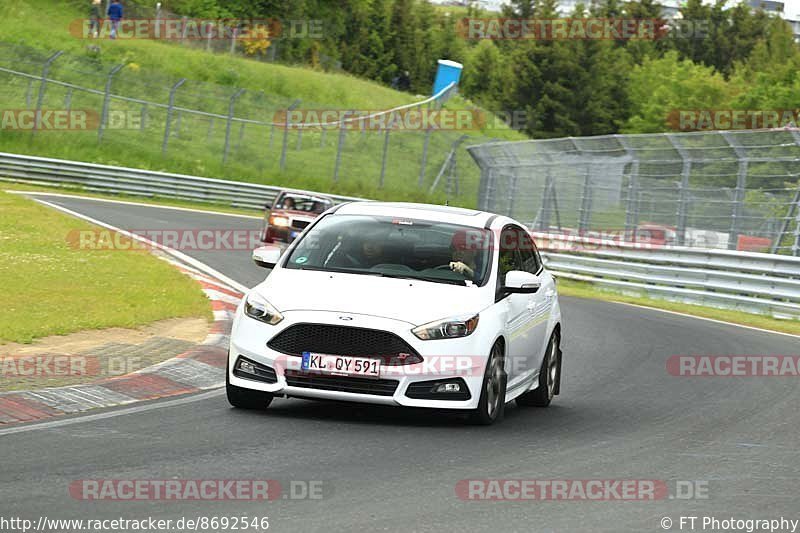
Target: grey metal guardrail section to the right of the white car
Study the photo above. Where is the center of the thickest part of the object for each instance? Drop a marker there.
(746, 281)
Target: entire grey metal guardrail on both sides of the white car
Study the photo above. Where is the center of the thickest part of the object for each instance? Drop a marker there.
(748, 281)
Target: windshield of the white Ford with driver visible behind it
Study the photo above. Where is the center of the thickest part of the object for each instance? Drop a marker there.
(391, 247)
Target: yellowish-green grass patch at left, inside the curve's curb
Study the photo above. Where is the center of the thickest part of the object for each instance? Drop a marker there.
(50, 288)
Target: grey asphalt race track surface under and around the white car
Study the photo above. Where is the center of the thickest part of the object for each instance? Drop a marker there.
(621, 415)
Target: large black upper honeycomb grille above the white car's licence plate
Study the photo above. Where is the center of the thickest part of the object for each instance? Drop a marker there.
(344, 340)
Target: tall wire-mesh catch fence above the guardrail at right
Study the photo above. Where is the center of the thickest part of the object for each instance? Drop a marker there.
(735, 190)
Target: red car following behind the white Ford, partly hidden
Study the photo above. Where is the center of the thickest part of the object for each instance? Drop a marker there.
(290, 214)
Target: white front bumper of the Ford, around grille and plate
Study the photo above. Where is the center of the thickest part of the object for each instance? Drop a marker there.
(443, 360)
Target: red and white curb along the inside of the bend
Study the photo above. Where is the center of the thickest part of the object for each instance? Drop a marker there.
(200, 368)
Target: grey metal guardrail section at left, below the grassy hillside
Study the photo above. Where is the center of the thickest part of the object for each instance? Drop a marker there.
(136, 182)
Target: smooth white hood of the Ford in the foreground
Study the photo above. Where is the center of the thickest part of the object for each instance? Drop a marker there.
(411, 301)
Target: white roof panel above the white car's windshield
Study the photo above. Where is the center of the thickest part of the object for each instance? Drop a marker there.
(436, 213)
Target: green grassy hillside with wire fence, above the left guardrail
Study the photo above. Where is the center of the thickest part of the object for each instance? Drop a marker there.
(196, 146)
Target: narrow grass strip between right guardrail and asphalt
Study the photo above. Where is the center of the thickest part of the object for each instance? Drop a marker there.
(582, 289)
